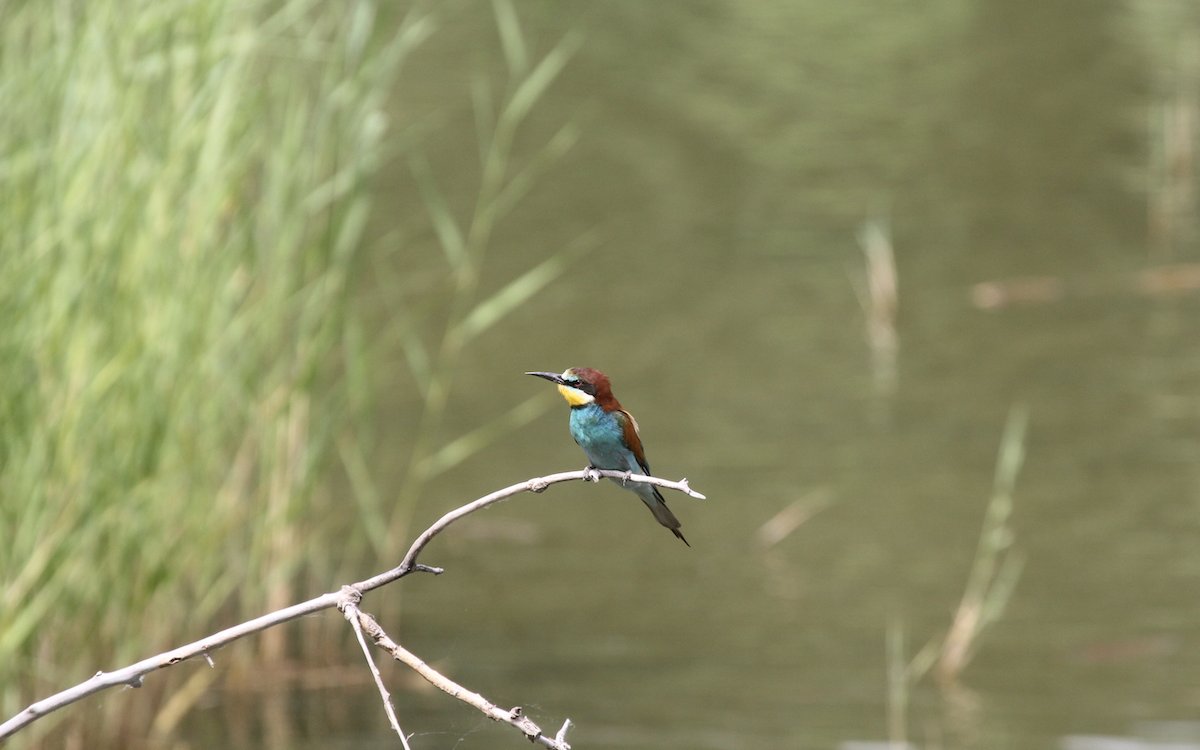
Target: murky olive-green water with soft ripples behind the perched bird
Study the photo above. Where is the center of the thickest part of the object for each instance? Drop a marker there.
(729, 157)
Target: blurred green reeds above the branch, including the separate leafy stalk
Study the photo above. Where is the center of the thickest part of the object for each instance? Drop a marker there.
(189, 375)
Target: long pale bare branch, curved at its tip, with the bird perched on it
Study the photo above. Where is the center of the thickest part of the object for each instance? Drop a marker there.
(134, 674)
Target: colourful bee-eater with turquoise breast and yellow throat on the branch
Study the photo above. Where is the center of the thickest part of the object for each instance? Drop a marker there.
(608, 434)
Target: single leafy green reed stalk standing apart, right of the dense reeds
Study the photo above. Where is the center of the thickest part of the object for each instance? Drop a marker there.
(465, 245)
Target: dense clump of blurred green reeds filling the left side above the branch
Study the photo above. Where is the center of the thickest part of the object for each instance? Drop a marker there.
(183, 194)
